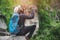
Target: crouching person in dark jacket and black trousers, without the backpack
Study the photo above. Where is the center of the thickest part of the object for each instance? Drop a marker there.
(24, 30)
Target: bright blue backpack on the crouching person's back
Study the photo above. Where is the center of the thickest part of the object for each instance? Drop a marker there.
(13, 25)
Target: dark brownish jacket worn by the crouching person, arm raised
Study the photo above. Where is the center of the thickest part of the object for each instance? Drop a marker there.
(23, 17)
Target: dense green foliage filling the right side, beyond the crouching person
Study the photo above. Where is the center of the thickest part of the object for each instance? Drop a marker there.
(49, 29)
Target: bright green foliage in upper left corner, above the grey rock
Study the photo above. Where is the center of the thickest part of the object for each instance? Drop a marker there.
(6, 9)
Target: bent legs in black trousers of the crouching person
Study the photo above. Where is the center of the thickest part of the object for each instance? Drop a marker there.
(29, 29)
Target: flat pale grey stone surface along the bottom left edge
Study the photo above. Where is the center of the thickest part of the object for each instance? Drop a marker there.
(12, 38)
